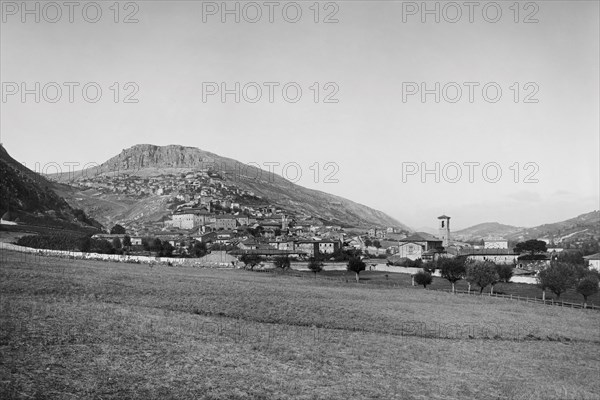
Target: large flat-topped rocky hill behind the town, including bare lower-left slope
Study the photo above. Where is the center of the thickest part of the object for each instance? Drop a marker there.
(147, 161)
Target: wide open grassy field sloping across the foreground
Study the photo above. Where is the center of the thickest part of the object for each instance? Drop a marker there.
(82, 329)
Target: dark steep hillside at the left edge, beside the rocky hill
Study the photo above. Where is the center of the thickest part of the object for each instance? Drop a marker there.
(31, 198)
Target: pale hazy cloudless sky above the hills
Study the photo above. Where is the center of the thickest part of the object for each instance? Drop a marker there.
(370, 61)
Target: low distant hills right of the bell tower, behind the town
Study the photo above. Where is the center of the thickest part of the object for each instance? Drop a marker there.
(581, 228)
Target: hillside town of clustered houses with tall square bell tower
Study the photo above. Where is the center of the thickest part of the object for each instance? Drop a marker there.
(267, 231)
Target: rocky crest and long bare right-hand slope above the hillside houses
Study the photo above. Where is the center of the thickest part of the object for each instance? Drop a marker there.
(148, 160)
